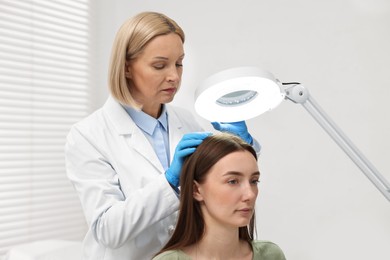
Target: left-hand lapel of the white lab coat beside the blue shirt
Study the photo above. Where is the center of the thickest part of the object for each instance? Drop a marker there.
(126, 127)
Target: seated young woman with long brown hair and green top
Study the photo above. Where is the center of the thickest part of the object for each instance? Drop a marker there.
(219, 186)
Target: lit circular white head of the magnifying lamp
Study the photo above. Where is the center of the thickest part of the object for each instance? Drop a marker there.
(237, 94)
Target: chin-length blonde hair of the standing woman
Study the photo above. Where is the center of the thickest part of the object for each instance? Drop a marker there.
(130, 41)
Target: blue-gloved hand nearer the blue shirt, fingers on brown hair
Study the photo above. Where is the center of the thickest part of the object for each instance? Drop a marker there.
(185, 147)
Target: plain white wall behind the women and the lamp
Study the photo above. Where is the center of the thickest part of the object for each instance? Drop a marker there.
(314, 202)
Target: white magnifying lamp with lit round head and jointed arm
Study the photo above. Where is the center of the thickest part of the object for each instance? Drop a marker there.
(245, 92)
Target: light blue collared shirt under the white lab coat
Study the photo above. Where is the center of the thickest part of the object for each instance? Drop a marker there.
(155, 130)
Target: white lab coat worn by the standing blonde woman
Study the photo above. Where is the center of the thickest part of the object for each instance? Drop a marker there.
(129, 206)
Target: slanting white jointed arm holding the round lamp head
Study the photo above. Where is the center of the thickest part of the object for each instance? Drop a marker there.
(299, 94)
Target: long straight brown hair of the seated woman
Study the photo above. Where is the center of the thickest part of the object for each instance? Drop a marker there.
(190, 225)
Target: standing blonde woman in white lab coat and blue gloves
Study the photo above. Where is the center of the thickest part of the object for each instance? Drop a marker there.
(124, 159)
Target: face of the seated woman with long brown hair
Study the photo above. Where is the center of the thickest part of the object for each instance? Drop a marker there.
(228, 194)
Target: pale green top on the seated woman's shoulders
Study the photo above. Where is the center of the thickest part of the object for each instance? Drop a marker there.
(263, 250)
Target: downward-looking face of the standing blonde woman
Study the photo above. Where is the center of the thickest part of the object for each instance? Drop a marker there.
(155, 75)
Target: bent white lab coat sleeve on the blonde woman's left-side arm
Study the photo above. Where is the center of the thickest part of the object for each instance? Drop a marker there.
(112, 216)
